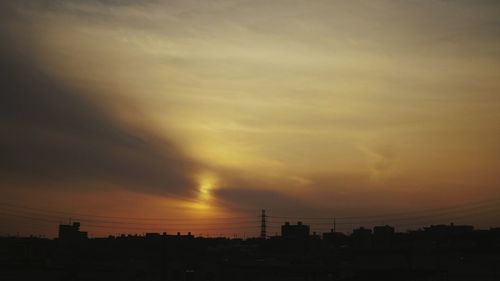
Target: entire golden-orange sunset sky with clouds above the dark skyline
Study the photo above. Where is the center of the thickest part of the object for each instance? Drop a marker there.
(136, 116)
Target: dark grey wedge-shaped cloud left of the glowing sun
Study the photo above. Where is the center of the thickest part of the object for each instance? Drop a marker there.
(52, 132)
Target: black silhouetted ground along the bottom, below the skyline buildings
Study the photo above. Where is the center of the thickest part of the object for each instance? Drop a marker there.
(420, 255)
